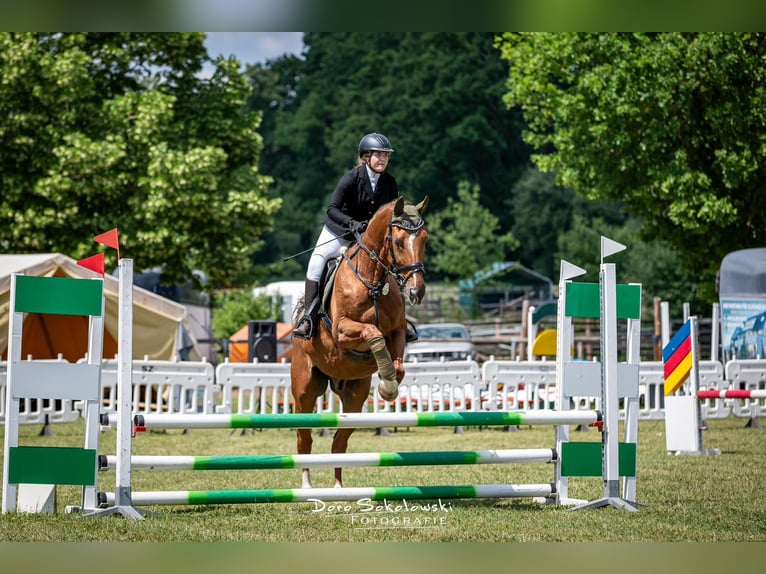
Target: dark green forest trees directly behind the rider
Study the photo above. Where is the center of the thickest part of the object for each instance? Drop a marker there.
(436, 96)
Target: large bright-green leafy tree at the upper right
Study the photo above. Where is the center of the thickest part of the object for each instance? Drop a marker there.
(671, 124)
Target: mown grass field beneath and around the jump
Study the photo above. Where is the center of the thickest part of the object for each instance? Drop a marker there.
(700, 499)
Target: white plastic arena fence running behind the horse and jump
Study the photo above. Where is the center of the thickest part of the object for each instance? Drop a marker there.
(187, 387)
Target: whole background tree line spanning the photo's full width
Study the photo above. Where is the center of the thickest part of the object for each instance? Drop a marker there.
(653, 138)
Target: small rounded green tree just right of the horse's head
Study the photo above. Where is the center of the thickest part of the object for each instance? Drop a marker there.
(464, 237)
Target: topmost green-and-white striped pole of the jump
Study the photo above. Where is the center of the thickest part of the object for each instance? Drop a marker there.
(364, 420)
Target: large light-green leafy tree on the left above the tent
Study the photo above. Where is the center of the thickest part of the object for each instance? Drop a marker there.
(103, 130)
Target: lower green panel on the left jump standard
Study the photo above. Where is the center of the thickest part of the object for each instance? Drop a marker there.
(52, 465)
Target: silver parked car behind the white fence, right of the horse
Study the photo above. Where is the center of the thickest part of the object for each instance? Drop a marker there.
(441, 342)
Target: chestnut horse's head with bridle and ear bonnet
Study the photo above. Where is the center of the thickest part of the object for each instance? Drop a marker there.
(407, 248)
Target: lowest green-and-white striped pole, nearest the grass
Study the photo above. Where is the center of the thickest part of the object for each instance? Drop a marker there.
(192, 497)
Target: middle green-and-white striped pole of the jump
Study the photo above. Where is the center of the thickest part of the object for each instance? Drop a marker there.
(368, 459)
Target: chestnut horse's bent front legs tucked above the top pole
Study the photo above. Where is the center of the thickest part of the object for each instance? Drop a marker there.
(388, 358)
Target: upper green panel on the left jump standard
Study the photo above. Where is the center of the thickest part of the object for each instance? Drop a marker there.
(58, 295)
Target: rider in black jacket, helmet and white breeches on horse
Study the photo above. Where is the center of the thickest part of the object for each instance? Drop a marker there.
(356, 198)
